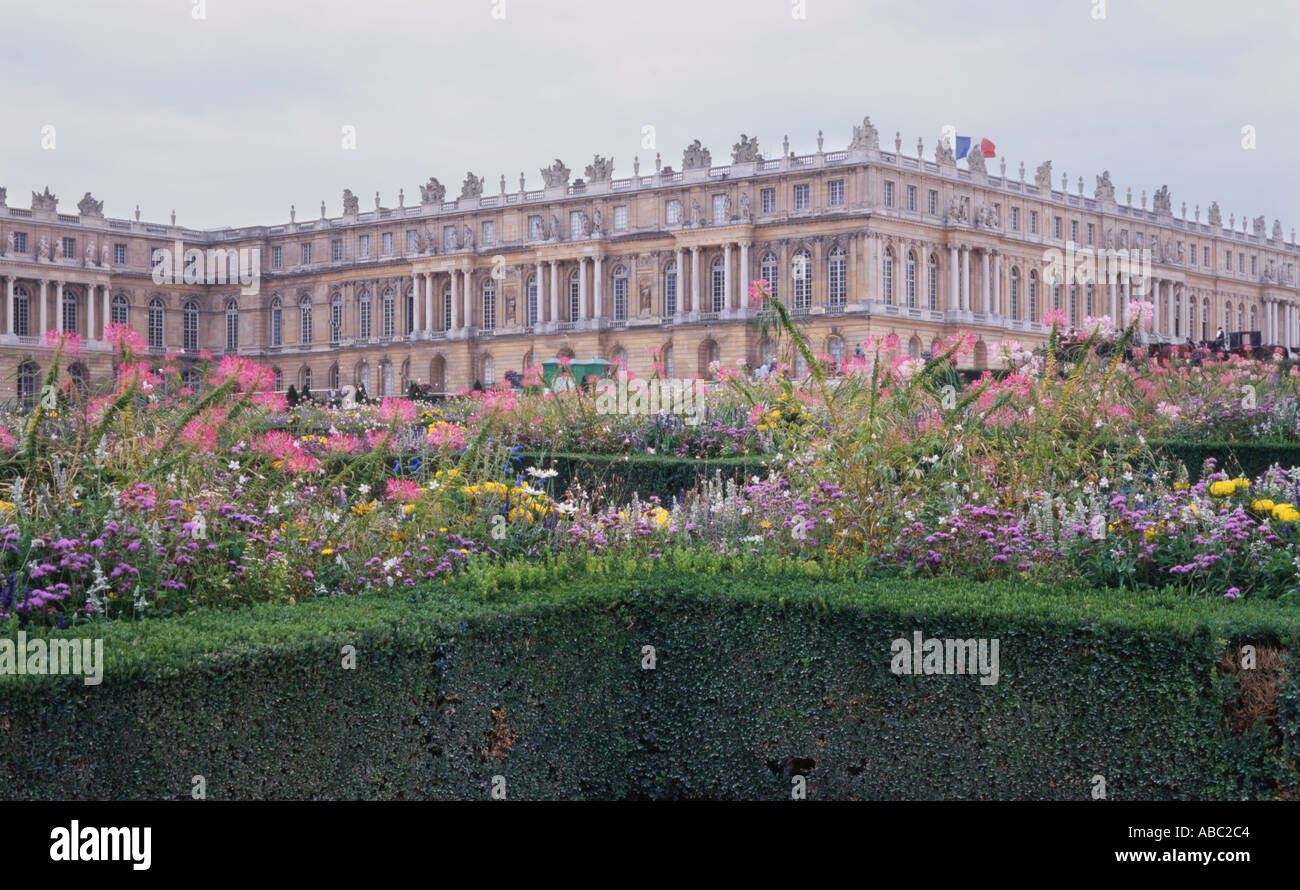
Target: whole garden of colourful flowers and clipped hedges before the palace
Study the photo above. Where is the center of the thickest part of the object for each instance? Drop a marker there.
(541, 584)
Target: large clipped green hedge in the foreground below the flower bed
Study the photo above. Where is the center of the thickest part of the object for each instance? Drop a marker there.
(764, 672)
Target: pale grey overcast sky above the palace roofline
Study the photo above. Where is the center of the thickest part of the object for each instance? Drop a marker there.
(233, 118)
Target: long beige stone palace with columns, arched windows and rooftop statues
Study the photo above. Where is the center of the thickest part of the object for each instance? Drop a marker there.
(859, 244)
